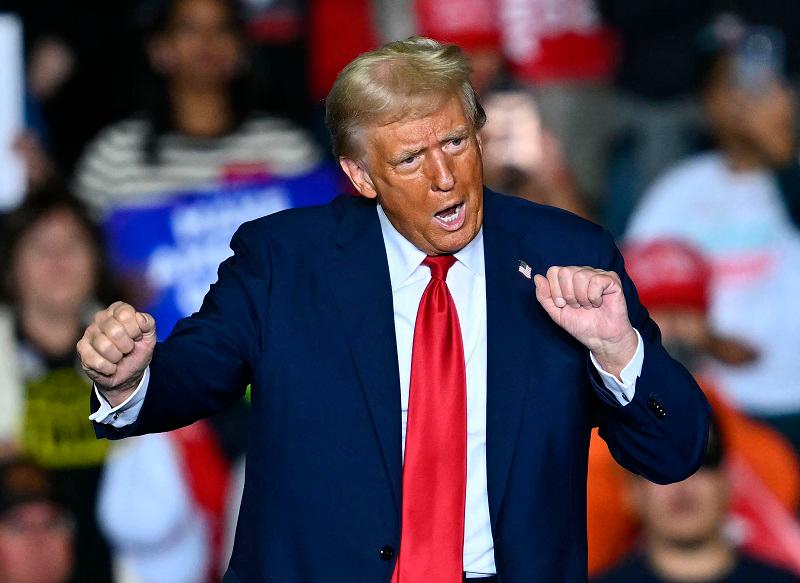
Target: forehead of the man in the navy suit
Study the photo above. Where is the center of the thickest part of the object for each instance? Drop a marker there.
(419, 127)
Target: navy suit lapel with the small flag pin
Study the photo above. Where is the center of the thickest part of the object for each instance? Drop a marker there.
(511, 315)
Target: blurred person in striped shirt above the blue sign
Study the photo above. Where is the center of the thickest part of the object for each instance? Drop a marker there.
(200, 126)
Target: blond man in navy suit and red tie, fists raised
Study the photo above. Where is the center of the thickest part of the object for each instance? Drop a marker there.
(427, 360)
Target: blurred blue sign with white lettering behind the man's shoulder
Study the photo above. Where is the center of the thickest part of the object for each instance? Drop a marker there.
(167, 252)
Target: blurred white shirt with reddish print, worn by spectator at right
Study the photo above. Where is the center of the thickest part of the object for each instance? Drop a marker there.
(739, 221)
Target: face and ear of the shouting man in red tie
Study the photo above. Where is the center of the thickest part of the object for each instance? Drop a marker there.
(427, 174)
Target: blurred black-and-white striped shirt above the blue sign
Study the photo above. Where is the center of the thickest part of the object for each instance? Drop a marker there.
(114, 169)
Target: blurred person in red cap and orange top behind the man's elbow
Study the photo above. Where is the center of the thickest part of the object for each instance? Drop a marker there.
(672, 279)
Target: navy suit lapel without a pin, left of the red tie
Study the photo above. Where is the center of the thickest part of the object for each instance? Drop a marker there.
(358, 272)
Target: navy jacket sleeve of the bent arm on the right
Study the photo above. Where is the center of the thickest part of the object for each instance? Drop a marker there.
(662, 433)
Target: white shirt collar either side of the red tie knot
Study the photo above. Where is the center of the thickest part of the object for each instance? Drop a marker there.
(404, 258)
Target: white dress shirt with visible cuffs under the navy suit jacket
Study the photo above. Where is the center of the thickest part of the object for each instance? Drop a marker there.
(466, 281)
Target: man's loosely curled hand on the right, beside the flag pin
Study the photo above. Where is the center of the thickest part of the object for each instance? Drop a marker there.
(589, 304)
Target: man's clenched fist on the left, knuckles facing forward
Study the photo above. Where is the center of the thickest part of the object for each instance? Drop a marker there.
(116, 349)
